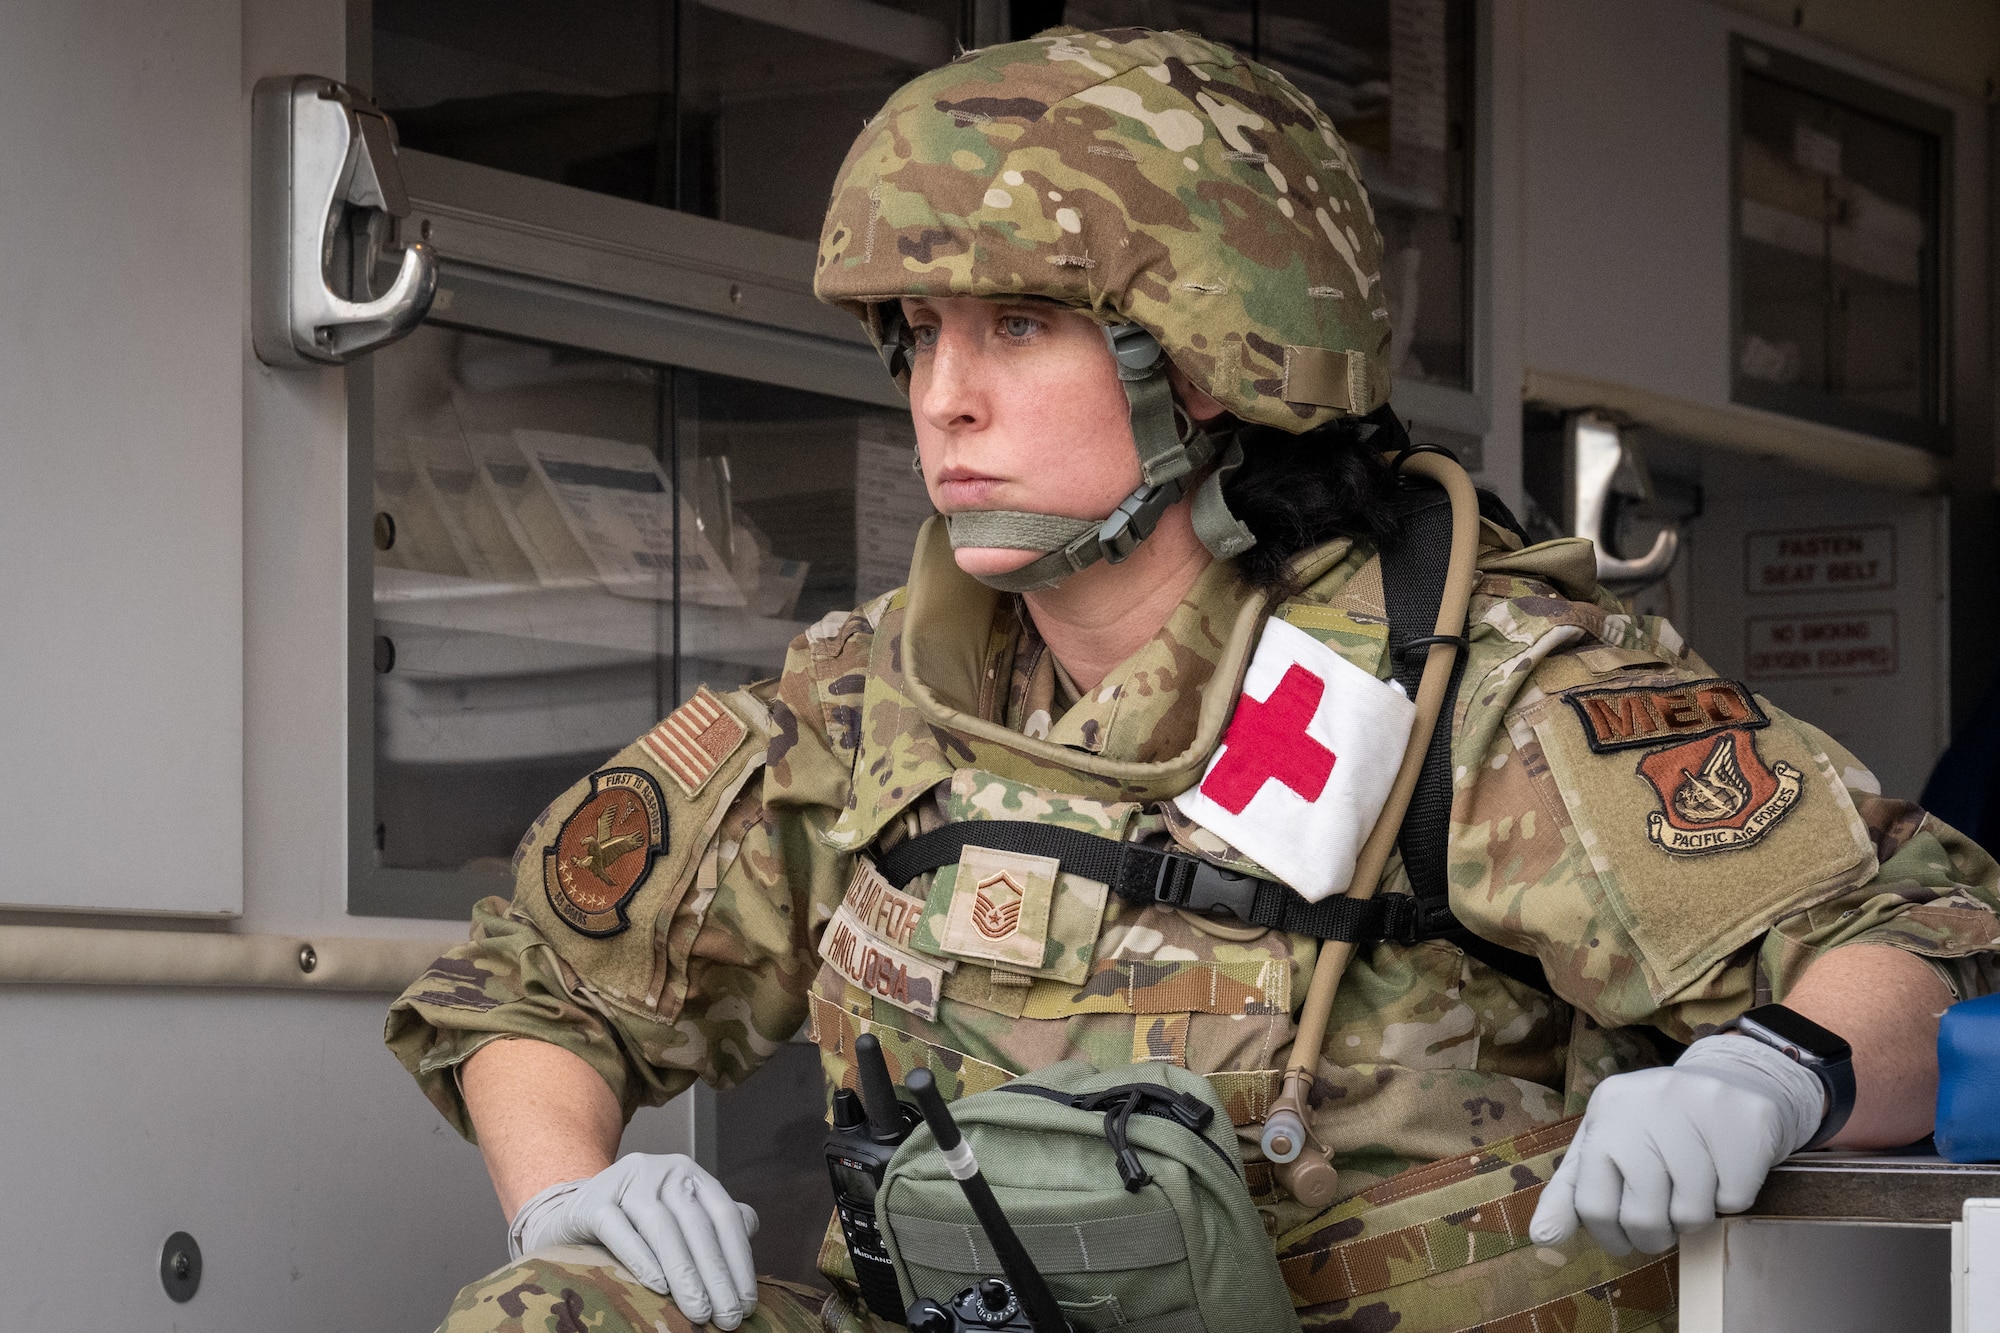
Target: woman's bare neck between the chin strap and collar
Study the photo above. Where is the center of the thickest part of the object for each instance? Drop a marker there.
(1103, 615)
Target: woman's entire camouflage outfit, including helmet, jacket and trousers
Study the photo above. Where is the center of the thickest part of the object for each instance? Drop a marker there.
(1671, 848)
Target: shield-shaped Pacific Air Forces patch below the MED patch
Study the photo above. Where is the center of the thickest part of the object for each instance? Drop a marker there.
(1717, 794)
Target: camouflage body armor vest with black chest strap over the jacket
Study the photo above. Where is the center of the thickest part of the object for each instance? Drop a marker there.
(1085, 930)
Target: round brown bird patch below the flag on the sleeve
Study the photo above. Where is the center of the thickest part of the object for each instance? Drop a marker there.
(603, 852)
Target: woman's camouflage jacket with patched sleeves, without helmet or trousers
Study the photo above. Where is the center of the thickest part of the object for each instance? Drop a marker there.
(1671, 850)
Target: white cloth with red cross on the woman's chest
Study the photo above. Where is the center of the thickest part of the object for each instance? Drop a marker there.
(1307, 764)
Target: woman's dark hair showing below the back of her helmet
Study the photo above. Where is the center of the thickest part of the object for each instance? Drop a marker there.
(1301, 491)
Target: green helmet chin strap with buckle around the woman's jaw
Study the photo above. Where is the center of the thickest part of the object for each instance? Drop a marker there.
(1169, 455)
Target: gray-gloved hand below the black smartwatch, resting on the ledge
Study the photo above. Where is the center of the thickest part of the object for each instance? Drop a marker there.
(1665, 1150)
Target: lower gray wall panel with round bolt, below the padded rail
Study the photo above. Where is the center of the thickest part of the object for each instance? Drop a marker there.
(323, 1188)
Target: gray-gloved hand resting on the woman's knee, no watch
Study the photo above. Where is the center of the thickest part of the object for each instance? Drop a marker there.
(667, 1220)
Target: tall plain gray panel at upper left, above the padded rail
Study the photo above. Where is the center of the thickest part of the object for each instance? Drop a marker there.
(121, 469)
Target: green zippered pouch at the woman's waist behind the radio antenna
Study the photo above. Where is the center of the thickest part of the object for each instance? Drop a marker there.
(1181, 1254)
